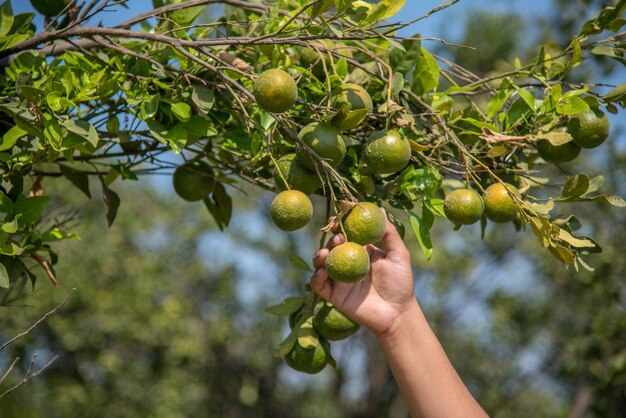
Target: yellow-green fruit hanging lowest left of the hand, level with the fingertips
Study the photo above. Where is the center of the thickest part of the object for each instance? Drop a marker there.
(291, 210)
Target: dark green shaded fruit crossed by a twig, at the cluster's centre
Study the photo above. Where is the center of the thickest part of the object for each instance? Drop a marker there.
(325, 140)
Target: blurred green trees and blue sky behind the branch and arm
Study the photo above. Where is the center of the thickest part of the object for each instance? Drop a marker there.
(167, 319)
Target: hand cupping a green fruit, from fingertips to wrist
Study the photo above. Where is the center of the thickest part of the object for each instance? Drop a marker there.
(383, 295)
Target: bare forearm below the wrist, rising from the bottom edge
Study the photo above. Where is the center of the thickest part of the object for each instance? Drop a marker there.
(427, 379)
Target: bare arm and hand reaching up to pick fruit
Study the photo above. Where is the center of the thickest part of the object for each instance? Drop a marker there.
(384, 303)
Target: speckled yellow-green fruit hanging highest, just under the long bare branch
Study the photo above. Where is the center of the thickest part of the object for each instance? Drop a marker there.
(275, 91)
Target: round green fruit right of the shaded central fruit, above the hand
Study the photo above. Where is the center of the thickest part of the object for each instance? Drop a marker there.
(387, 152)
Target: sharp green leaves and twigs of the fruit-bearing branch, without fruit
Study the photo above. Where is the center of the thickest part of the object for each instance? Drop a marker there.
(114, 101)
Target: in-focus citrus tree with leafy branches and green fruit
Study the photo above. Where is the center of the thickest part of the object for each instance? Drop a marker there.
(327, 83)
